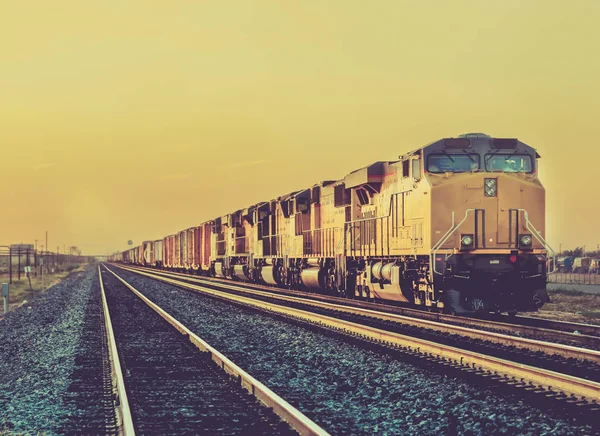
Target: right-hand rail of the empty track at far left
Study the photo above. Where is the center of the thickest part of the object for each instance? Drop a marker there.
(296, 419)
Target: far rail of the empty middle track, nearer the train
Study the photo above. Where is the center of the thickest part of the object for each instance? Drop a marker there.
(567, 351)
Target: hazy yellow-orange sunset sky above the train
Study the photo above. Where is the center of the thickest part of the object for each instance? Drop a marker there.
(135, 119)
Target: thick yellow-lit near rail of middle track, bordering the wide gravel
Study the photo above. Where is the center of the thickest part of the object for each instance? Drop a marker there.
(534, 377)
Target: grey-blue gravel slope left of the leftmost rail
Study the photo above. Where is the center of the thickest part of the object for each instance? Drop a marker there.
(38, 344)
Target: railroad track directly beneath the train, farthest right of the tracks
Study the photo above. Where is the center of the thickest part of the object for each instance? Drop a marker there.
(577, 334)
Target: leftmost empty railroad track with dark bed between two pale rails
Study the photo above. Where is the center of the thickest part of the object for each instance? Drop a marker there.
(168, 380)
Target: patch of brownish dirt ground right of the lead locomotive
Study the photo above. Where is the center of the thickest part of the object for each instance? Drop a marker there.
(573, 306)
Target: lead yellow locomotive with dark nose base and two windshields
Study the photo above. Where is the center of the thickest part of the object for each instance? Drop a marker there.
(467, 228)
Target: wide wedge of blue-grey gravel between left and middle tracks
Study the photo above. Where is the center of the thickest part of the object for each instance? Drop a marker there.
(343, 387)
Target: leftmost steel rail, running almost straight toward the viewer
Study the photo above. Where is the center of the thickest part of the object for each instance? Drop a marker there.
(124, 419)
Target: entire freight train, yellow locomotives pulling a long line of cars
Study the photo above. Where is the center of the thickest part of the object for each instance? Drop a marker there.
(457, 225)
